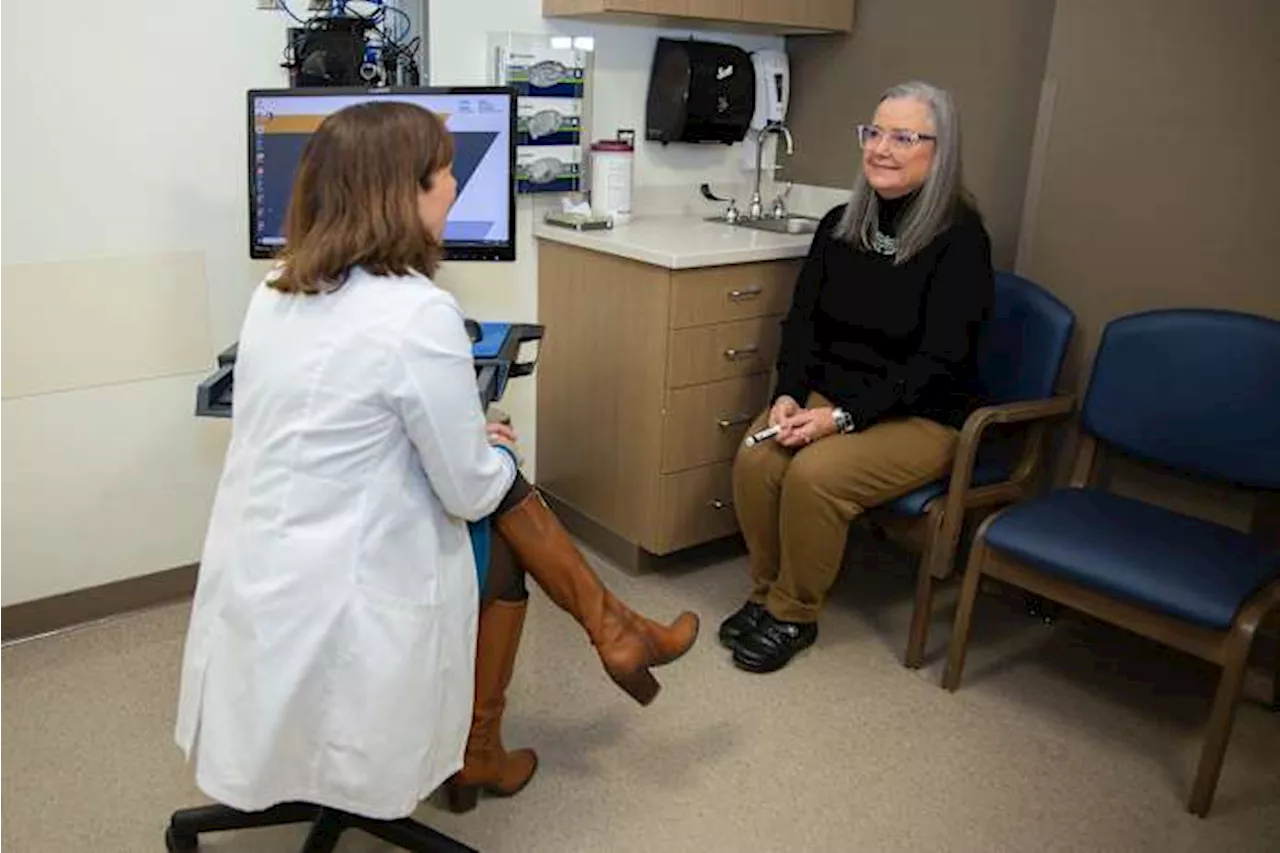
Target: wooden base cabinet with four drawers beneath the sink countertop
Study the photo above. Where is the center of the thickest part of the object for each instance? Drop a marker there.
(647, 382)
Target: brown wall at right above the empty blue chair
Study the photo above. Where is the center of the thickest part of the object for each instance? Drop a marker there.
(1159, 181)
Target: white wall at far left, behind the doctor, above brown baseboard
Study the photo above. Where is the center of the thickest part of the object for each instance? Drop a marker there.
(124, 271)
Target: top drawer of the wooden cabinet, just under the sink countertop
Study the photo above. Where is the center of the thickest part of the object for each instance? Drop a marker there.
(726, 294)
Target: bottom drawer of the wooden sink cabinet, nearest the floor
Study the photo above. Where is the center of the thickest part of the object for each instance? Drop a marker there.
(697, 507)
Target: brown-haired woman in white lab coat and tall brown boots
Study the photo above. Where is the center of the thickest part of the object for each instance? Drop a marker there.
(333, 653)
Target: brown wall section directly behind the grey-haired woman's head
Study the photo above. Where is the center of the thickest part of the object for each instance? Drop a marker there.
(989, 53)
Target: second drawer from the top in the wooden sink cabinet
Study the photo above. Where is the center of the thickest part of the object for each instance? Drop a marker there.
(723, 352)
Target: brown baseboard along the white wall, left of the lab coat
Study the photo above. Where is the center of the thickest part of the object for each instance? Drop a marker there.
(83, 606)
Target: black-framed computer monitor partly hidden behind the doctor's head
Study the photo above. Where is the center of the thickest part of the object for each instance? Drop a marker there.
(483, 121)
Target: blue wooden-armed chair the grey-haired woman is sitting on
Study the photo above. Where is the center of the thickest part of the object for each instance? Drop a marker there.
(1022, 354)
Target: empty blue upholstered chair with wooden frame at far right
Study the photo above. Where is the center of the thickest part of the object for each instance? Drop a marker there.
(1195, 393)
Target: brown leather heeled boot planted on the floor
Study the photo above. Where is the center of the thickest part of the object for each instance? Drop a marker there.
(488, 767)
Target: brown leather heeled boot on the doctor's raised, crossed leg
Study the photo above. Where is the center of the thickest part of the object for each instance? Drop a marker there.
(627, 642)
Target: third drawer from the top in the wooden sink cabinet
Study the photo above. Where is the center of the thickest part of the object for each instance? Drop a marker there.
(706, 425)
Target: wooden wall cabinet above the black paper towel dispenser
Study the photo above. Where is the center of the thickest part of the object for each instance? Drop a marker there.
(774, 16)
